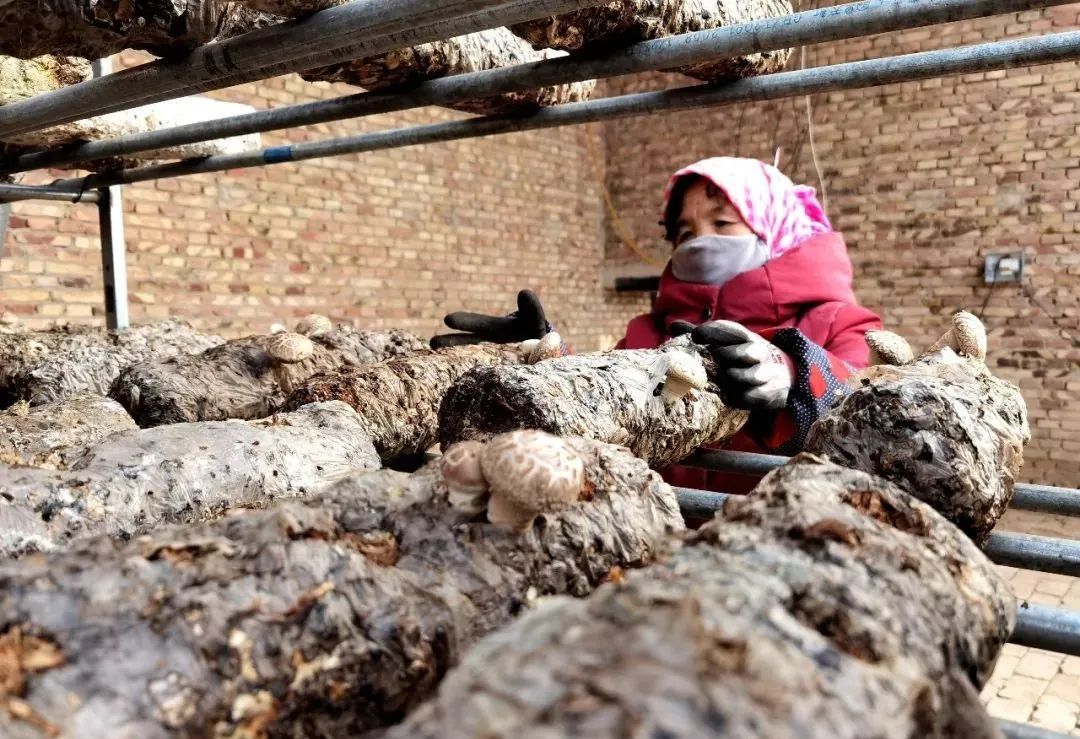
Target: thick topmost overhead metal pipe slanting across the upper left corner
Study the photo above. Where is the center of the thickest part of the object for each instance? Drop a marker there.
(357, 30)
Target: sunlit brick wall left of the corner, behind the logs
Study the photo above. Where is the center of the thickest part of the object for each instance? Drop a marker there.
(384, 239)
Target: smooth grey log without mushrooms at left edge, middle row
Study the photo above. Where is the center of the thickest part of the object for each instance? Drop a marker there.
(136, 481)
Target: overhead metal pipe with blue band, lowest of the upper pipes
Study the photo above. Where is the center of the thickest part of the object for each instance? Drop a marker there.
(967, 60)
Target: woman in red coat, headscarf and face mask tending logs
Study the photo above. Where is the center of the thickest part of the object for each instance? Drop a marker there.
(763, 281)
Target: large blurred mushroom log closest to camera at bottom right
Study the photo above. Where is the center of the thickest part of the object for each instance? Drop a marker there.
(828, 604)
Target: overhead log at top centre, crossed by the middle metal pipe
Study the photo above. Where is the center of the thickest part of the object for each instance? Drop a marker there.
(490, 49)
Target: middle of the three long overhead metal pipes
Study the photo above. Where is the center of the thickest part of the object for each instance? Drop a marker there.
(814, 26)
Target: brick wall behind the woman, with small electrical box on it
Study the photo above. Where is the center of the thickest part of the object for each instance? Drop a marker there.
(924, 179)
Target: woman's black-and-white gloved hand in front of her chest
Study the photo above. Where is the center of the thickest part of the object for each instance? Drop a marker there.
(751, 373)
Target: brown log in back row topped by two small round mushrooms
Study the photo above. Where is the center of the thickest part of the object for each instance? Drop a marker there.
(249, 378)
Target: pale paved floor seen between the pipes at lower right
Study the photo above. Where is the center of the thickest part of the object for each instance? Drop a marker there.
(1032, 686)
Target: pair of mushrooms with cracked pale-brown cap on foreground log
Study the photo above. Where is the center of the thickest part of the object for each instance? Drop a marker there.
(516, 477)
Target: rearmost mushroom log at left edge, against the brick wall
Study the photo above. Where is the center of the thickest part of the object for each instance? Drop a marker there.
(49, 366)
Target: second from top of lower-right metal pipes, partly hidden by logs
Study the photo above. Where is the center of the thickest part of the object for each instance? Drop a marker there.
(1061, 557)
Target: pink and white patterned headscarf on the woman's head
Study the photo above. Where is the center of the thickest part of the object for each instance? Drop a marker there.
(782, 213)
